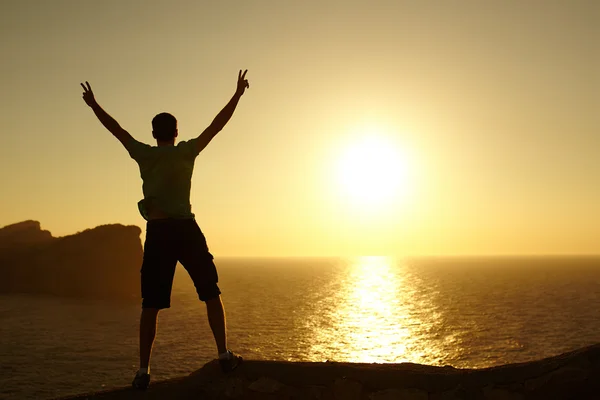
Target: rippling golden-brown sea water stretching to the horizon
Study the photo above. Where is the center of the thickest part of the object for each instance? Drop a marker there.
(460, 312)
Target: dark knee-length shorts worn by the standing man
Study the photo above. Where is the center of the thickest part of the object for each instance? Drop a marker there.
(169, 241)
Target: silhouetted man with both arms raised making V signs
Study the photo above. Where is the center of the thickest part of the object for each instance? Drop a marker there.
(172, 233)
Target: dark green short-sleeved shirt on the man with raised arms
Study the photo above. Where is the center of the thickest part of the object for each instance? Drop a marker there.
(166, 173)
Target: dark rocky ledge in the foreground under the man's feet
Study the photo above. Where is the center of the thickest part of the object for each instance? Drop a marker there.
(573, 375)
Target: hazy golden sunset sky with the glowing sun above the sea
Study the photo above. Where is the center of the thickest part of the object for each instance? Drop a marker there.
(370, 128)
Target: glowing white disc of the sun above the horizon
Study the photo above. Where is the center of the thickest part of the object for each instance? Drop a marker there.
(373, 171)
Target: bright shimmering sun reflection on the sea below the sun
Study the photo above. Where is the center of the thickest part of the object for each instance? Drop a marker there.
(376, 315)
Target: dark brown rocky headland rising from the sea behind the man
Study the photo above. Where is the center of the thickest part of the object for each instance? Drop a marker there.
(103, 262)
